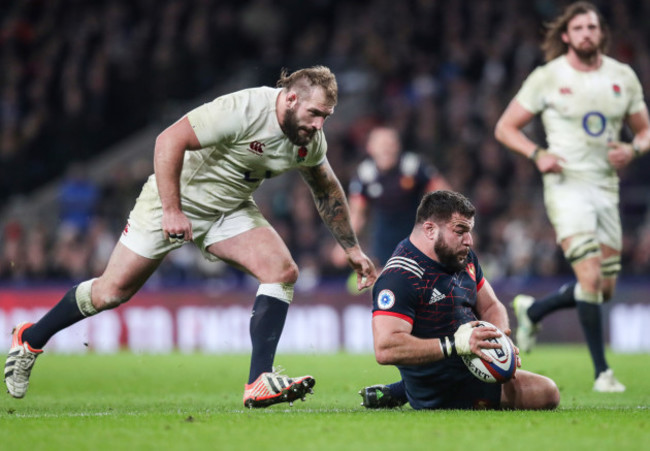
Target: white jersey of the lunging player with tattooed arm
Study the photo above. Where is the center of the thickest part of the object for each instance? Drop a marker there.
(242, 144)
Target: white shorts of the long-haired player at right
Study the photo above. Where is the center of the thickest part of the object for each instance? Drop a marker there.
(576, 207)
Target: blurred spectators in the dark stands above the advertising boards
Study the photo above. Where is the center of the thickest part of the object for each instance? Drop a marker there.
(79, 76)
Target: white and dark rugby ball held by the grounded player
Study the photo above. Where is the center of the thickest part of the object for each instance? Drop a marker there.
(504, 363)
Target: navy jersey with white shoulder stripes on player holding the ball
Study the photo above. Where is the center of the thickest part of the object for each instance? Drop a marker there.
(423, 292)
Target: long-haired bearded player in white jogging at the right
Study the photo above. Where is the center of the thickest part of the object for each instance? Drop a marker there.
(583, 97)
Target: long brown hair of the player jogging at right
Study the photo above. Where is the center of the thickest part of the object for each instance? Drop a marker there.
(553, 46)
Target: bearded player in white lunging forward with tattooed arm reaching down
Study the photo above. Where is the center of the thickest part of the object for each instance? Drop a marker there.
(207, 166)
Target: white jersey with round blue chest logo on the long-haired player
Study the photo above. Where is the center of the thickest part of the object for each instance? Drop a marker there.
(582, 112)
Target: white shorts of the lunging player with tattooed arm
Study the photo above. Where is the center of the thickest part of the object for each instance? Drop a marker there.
(143, 233)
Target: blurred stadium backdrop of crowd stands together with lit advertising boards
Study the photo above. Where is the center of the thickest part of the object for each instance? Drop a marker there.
(87, 86)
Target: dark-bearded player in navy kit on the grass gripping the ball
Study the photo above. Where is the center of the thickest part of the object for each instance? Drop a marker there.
(426, 301)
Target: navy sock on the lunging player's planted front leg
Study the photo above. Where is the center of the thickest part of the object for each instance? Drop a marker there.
(266, 326)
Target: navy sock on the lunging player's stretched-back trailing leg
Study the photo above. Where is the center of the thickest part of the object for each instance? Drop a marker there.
(62, 315)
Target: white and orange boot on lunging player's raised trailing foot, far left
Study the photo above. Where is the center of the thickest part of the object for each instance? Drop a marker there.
(20, 361)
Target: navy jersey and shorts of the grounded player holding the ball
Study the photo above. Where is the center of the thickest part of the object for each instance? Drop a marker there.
(436, 302)
